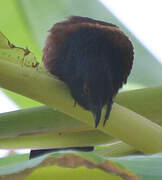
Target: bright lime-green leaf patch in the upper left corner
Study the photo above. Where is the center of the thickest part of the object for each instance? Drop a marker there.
(13, 26)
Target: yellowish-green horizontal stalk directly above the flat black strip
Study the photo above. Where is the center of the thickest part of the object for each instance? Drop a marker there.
(55, 139)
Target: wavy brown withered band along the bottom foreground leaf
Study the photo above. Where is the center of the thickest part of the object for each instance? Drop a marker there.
(74, 161)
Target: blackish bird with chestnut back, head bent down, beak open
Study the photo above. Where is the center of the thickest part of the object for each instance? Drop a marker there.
(93, 58)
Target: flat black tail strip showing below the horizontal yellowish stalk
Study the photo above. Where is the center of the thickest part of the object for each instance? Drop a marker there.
(39, 152)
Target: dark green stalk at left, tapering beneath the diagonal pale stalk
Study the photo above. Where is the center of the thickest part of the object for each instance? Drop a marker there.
(37, 120)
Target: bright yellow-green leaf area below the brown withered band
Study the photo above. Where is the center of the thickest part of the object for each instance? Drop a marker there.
(79, 173)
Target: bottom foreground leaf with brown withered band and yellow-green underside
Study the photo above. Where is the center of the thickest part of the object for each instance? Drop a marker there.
(70, 165)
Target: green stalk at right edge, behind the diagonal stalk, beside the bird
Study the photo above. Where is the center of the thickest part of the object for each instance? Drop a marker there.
(146, 102)
